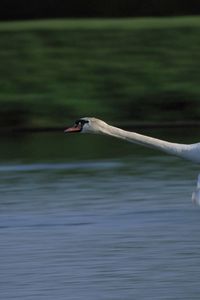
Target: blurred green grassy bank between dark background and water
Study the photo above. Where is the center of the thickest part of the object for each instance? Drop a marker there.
(129, 70)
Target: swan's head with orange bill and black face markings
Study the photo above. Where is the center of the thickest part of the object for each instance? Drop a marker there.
(87, 125)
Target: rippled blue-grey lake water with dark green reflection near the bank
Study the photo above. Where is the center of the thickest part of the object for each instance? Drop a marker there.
(90, 217)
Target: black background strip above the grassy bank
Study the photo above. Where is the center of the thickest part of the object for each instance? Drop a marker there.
(23, 9)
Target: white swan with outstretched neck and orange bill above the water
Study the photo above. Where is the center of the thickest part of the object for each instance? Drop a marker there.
(189, 152)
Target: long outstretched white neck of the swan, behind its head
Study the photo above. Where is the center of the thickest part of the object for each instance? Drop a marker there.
(190, 152)
